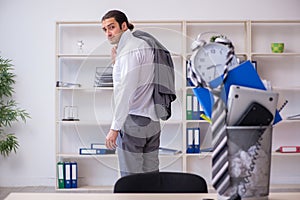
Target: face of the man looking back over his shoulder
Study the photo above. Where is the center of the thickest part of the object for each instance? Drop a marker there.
(112, 30)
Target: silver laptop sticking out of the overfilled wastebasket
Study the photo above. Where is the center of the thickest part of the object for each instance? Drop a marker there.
(241, 98)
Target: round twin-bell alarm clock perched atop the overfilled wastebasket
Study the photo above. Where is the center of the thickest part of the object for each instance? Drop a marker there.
(208, 60)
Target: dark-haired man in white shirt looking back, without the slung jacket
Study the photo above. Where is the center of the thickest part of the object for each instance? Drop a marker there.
(135, 128)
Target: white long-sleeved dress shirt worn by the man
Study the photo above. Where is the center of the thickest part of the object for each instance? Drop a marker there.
(133, 73)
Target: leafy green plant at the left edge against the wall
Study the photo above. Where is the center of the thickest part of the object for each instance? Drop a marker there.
(9, 110)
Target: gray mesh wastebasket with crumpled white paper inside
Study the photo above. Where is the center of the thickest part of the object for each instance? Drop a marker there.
(249, 154)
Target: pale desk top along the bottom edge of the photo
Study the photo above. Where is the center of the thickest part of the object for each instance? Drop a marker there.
(145, 196)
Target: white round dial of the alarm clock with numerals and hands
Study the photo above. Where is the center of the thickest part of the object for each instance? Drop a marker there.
(209, 61)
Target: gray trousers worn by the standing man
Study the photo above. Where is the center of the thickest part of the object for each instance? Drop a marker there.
(138, 145)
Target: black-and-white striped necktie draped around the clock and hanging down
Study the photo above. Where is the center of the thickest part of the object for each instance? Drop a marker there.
(220, 162)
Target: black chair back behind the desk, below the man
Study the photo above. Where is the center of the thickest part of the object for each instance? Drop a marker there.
(161, 182)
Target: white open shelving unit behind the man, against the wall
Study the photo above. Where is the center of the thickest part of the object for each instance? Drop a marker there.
(251, 39)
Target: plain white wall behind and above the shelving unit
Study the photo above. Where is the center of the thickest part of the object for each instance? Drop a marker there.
(27, 36)
